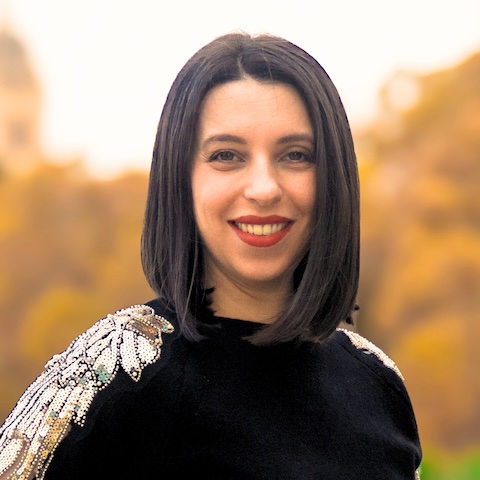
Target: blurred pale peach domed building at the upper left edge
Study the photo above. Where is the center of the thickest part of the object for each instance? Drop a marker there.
(20, 99)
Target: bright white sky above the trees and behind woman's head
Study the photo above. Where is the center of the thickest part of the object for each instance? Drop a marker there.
(105, 66)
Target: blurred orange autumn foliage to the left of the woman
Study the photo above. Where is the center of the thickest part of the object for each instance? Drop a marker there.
(69, 251)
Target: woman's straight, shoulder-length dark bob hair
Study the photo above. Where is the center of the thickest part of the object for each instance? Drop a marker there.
(326, 279)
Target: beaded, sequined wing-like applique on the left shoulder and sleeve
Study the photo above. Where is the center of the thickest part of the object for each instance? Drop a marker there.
(62, 394)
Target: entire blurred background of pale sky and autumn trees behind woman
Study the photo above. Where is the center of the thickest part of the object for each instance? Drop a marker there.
(82, 85)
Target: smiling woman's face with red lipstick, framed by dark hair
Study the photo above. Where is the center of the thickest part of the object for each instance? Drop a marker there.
(253, 183)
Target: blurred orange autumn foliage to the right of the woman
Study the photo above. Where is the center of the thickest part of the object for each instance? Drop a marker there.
(420, 291)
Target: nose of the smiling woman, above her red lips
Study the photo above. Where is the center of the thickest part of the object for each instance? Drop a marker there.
(262, 184)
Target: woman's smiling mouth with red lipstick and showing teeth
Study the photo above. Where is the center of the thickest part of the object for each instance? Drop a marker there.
(261, 231)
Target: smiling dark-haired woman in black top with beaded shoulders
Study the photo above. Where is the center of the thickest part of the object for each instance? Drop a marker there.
(239, 369)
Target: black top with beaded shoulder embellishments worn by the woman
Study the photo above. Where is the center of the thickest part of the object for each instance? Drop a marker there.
(220, 408)
